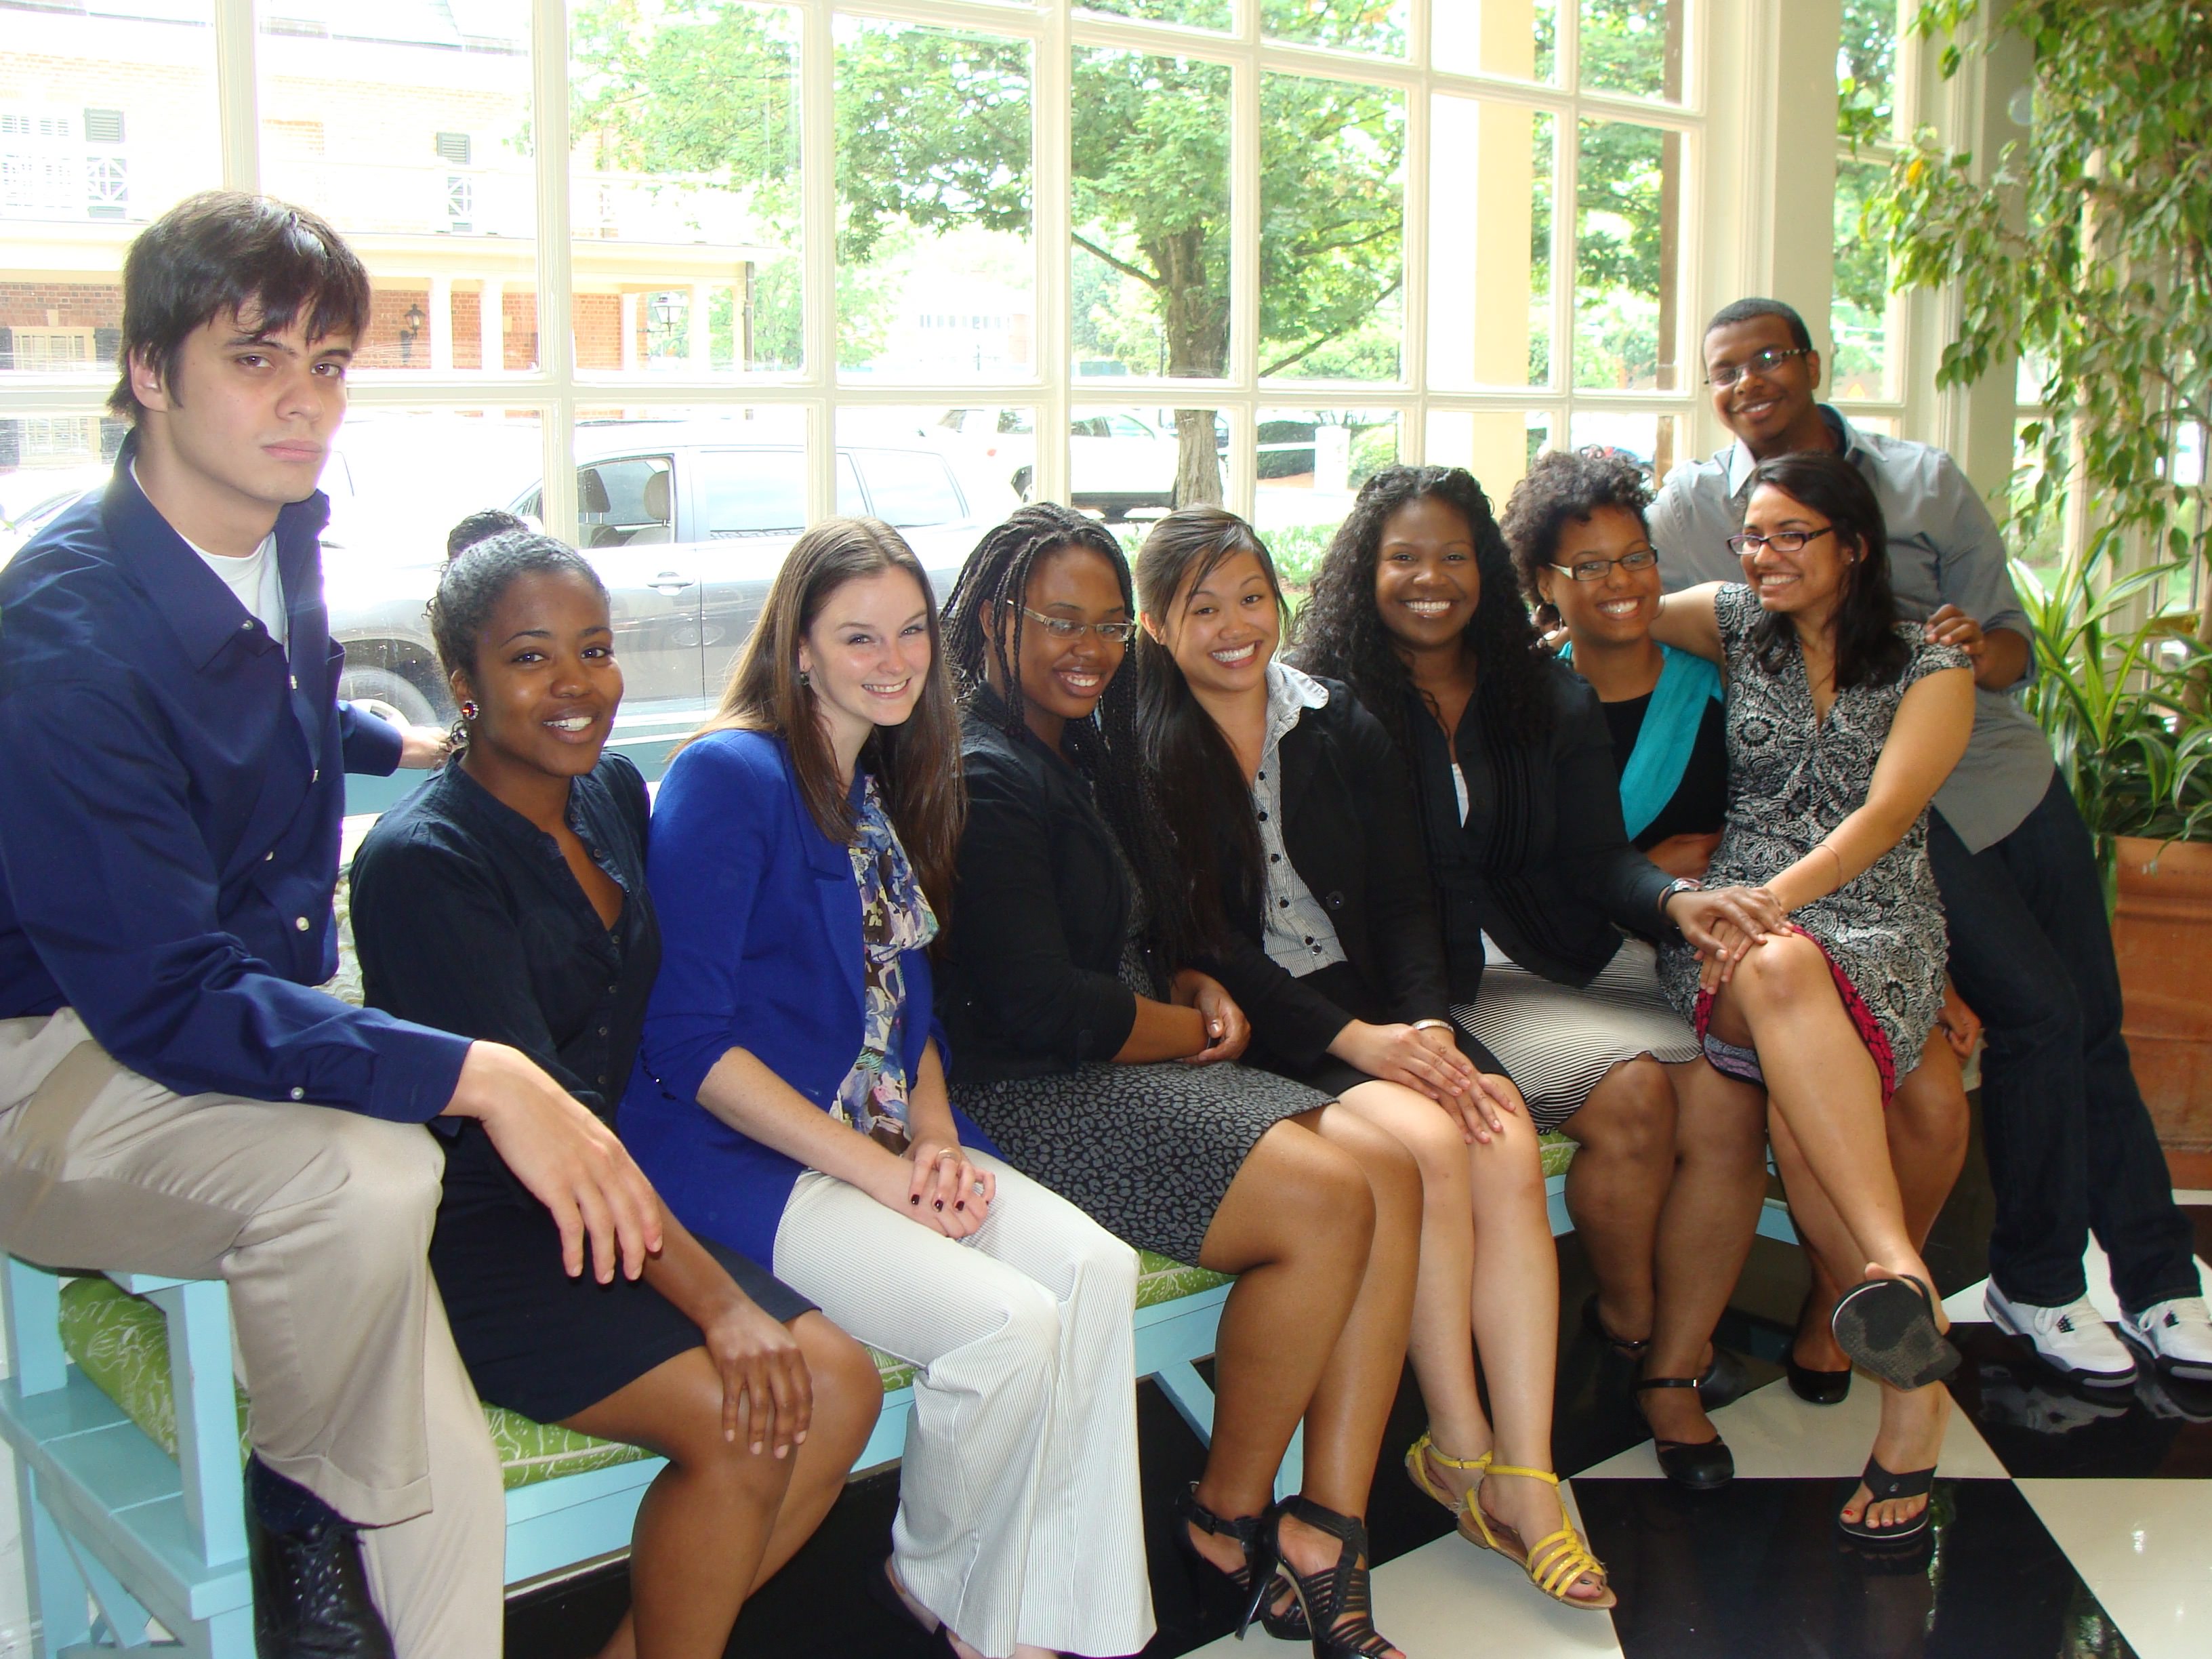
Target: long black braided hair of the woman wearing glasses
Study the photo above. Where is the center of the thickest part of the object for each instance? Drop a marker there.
(1105, 749)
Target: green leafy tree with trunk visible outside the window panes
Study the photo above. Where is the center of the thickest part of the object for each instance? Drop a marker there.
(932, 132)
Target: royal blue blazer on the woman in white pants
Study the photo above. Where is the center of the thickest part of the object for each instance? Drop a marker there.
(760, 952)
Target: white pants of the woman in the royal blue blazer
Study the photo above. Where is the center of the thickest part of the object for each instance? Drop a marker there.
(1019, 1512)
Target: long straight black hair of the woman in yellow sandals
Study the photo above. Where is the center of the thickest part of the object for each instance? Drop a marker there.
(1196, 773)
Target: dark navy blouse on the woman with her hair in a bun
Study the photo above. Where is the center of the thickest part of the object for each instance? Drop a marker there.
(468, 919)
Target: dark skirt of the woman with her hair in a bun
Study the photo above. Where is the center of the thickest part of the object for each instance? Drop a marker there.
(534, 1339)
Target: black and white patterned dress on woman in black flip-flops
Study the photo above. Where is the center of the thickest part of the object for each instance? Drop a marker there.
(1793, 778)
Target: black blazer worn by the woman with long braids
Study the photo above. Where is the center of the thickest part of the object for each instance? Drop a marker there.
(1027, 970)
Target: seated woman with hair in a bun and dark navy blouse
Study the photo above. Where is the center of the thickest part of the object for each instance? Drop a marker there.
(508, 901)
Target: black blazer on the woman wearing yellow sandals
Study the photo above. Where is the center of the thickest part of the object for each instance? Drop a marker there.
(1353, 837)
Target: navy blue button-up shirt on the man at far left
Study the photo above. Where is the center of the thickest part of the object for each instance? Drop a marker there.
(171, 786)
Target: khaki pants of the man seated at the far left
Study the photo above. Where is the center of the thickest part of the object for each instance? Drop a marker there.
(320, 1222)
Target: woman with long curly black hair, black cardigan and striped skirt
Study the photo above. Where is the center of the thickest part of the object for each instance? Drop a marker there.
(1547, 912)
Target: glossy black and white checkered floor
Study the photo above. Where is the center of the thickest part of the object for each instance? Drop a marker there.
(2069, 1525)
